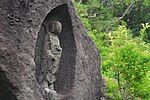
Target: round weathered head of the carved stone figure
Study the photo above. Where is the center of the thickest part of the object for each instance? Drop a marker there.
(55, 27)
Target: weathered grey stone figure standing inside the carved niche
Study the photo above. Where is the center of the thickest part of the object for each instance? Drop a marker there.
(54, 52)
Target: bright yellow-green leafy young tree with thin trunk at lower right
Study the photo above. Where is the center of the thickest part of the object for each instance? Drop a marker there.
(128, 61)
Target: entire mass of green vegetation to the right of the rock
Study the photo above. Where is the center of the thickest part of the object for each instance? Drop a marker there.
(121, 32)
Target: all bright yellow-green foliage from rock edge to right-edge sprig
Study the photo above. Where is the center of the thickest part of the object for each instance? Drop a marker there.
(125, 63)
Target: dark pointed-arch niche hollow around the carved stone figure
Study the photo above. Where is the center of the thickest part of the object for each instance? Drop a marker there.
(65, 76)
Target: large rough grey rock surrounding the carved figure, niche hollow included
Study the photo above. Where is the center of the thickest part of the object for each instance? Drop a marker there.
(21, 43)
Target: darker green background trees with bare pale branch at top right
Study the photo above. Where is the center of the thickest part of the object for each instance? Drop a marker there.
(105, 17)
